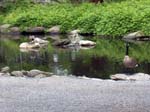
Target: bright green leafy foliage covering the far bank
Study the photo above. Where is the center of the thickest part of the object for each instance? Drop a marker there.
(115, 18)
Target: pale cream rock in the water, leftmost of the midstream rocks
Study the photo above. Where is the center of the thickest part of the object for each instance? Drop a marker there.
(26, 45)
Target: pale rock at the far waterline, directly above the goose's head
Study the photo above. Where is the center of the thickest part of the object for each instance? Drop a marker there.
(139, 35)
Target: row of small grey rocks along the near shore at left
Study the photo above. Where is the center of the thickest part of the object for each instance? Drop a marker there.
(32, 73)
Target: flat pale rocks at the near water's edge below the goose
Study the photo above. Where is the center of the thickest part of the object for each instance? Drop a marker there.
(136, 77)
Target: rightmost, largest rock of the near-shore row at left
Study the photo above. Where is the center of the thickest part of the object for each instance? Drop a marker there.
(34, 73)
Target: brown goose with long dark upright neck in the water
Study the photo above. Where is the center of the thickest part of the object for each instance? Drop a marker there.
(129, 62)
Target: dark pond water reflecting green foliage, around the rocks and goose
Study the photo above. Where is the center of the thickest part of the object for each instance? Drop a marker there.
(100, 62)
